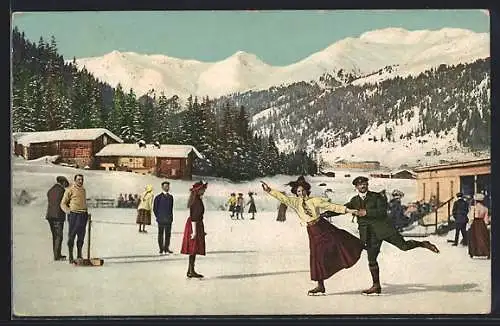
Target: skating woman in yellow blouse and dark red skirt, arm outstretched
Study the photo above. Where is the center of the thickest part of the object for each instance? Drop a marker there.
(331, 249)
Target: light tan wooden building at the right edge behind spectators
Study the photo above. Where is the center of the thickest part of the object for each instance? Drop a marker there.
(442, 182)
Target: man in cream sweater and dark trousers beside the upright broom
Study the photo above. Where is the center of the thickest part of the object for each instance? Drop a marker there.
(74, 203)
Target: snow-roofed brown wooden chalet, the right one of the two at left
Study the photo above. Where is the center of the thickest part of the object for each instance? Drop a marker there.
(169, 161)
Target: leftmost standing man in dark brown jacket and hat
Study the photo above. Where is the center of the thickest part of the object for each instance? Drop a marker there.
(56, 216)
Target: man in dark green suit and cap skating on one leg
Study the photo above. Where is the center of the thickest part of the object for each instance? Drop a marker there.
(375, 227)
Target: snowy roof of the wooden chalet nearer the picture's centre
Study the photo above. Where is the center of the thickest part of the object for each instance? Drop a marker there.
(133, 150)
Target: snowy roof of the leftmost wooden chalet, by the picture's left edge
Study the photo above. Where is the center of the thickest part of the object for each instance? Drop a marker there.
(26, 138)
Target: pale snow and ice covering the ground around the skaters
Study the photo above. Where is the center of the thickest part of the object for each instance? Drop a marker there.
(251, 267)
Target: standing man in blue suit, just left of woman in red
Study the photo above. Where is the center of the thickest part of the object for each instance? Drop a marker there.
(163, 208)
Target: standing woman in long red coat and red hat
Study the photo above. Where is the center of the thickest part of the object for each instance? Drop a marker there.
(193, 241)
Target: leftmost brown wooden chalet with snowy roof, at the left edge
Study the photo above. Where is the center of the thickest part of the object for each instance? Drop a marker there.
(73, 146)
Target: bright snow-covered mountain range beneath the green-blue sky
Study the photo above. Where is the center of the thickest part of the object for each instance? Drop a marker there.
(365, 57)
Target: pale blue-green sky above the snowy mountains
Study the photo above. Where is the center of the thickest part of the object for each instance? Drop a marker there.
(277, 37)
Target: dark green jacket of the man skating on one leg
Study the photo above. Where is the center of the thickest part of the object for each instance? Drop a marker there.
(376, 219)
